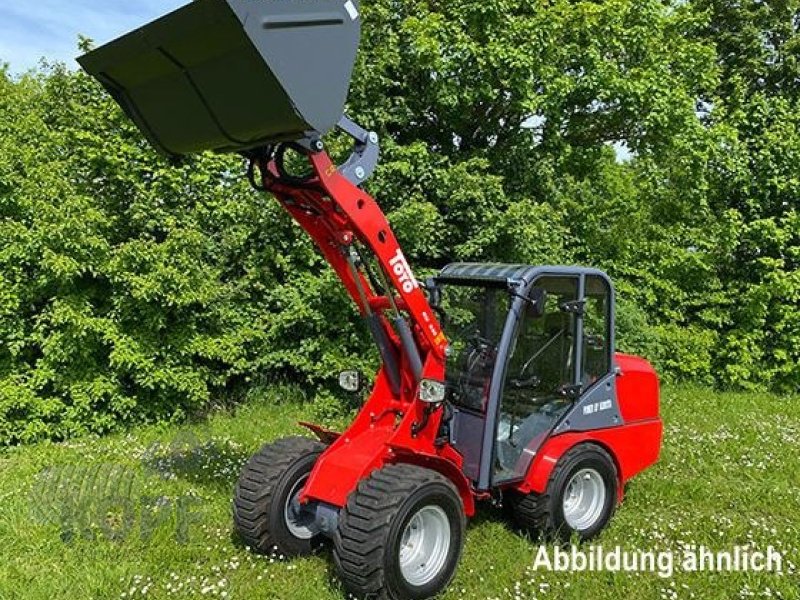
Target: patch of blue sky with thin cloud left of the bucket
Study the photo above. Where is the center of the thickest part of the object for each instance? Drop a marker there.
(32, 29)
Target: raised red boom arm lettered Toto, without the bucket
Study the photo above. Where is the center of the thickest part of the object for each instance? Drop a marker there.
(344, 220)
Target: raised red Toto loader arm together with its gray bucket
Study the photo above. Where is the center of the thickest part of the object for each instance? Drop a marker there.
(258, 78)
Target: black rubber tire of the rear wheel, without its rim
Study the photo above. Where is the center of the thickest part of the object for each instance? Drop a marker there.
(543, 514)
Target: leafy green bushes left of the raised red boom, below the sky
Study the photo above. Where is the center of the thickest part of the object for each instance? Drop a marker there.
(135, 290)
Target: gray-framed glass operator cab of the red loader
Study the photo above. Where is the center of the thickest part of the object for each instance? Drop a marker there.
(528, 347)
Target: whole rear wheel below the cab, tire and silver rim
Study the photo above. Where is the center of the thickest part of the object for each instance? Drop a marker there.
(580, 498)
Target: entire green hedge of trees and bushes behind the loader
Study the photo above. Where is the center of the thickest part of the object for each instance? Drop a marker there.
(625, 135)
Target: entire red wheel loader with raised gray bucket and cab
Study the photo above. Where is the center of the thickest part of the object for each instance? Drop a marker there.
(497, 382)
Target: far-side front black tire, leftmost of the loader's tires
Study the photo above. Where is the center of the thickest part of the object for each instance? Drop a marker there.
(263, 491)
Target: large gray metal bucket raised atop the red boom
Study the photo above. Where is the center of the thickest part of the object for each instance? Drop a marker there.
(228, 75)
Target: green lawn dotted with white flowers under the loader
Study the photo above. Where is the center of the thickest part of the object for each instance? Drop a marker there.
(729, 475)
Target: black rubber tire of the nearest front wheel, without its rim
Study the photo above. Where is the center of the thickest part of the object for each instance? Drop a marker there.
(372, 525)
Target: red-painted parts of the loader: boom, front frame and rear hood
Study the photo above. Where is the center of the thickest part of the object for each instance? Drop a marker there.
(336, 214)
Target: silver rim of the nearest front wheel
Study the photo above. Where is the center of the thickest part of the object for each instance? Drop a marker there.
(424, 545)
